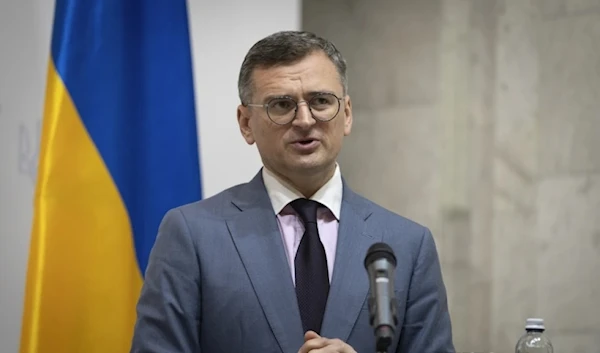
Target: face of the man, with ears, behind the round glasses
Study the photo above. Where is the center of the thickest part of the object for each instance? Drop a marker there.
(283, 148)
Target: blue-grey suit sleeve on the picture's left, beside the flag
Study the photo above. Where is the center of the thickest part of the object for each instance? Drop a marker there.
(168, 310)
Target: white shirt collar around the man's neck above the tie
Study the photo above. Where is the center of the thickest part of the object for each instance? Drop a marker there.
(282, 193)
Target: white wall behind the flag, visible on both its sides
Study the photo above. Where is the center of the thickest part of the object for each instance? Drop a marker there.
(222, 32)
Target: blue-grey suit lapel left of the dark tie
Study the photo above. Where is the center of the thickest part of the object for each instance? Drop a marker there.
(258, 241)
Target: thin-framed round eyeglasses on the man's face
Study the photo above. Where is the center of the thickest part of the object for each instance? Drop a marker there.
(282, 110)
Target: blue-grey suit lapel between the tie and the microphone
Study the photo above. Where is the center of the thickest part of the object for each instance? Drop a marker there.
(350, 283)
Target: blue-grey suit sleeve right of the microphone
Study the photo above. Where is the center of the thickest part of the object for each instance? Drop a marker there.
(426, 326)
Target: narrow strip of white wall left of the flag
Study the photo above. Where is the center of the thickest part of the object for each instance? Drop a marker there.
(24, 51)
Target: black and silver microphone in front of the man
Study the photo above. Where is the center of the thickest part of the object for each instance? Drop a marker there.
(380, 263)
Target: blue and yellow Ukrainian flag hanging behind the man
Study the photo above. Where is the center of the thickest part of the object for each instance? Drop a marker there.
(119, 148)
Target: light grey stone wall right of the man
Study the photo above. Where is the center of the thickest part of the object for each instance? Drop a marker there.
(481, 119)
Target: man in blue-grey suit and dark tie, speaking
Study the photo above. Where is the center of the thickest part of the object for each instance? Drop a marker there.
(260, 267)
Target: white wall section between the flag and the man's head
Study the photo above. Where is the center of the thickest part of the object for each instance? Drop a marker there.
(222, 34)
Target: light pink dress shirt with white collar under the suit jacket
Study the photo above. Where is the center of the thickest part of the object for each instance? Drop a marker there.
(291, 226)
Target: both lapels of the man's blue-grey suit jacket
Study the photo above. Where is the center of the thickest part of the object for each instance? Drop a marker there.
(257, 238)
